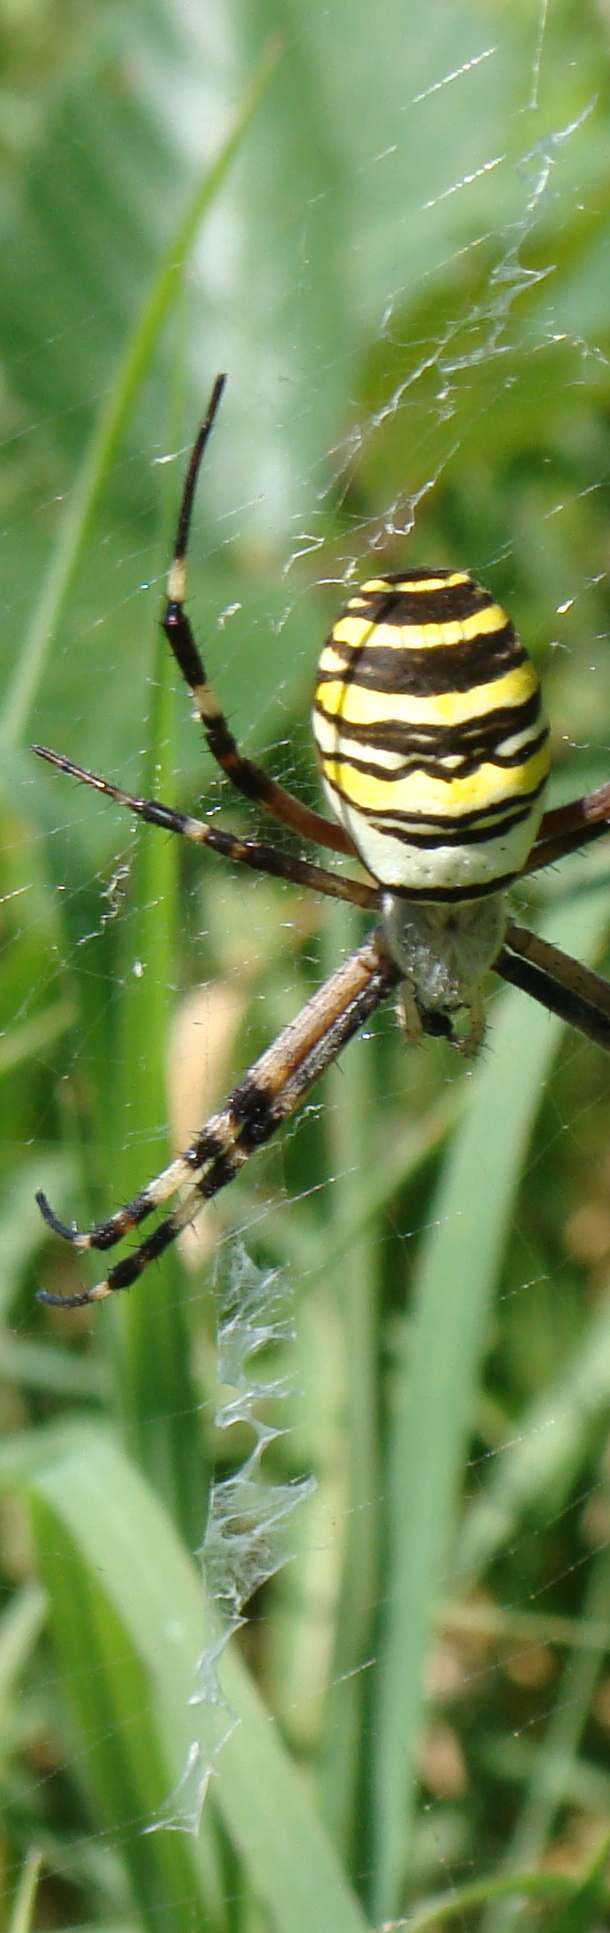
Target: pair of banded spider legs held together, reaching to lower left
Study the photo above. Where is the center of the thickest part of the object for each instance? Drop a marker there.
(273, 1089)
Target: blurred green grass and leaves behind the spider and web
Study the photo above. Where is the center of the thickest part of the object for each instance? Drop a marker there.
(393, 233)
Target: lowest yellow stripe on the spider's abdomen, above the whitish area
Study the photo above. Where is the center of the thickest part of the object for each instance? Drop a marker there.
(420, 793)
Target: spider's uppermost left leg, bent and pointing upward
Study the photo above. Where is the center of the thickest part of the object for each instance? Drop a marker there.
(242, 772)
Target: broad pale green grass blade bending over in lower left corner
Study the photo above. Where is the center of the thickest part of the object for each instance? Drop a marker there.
(128, 1619)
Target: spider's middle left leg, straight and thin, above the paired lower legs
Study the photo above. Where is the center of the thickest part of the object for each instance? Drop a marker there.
(254, 853)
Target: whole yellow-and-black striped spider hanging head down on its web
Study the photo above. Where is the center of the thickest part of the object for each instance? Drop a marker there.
(433, 751)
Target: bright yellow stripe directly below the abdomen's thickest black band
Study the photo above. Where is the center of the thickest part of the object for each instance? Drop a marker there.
(358, 707)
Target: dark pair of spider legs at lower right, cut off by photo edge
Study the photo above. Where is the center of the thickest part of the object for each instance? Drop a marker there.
(557, 981)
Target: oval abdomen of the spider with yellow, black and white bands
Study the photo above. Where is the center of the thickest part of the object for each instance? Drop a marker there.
(431, 736)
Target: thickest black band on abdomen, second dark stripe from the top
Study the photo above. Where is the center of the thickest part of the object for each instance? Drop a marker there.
(430, 670)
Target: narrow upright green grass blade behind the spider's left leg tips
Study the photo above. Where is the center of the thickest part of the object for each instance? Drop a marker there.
(153, 1381)
